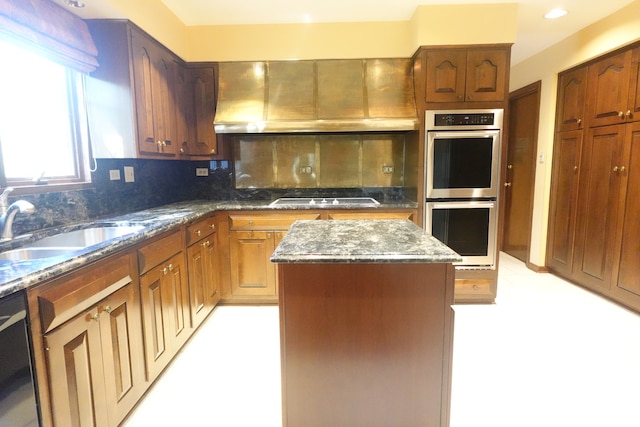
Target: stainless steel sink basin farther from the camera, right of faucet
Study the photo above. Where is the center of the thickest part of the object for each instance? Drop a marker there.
(80, 239)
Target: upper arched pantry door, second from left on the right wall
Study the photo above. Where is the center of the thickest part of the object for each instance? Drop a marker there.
(609, 90)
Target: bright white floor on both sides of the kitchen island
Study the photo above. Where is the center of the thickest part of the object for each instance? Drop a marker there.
(547, 354)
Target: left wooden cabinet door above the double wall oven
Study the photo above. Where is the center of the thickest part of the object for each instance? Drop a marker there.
(445, 74)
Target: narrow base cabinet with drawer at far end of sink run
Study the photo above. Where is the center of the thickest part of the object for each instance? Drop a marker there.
(202, 261)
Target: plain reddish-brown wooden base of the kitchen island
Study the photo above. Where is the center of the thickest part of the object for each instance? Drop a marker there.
(366, 345)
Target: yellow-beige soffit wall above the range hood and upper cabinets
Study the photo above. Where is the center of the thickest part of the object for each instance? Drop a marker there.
(429, 25)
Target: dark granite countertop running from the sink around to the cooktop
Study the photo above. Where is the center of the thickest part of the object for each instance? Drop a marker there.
(19, 275)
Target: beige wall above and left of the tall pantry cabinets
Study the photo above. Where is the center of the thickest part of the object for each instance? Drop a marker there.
(614, 31)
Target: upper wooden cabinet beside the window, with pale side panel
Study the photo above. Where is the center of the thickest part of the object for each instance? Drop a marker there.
(134, 99)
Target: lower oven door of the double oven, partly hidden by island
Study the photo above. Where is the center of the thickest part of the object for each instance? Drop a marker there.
(467, 227)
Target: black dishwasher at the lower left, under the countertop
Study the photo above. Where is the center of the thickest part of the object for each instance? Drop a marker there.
(17, 389)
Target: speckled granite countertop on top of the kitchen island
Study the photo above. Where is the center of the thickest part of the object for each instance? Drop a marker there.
(361, 241)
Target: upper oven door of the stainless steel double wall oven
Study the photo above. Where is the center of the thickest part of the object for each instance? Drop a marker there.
(462, 164)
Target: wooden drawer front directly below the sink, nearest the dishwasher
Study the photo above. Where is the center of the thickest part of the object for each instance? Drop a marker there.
(66, 297)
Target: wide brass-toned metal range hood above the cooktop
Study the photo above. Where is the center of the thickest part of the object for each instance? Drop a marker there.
(351, 95)
